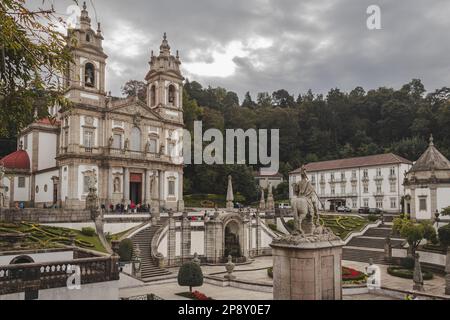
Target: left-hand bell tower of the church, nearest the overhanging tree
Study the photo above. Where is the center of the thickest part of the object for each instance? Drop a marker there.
(85, 77)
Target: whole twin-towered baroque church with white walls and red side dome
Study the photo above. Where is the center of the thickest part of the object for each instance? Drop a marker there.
(131, 149)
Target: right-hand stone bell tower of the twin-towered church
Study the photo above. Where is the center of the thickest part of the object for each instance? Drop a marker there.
(165, 83)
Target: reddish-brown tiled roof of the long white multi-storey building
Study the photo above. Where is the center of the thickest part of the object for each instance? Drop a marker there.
(367, 161)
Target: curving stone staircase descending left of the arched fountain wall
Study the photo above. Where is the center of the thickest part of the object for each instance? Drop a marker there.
(143, 239)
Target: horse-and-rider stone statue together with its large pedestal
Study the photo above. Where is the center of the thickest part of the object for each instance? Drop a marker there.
(307, 262)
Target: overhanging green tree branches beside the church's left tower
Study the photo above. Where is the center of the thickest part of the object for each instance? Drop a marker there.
(33, 60)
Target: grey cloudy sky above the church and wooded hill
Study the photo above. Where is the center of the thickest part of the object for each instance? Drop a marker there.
(264, 45)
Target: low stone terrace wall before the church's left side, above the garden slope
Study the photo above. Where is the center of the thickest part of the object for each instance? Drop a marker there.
(44, 215)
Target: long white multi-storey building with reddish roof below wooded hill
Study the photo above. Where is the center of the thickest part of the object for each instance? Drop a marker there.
(372, 181)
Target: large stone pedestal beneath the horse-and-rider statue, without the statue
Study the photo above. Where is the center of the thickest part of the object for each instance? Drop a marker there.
(307, 268)
